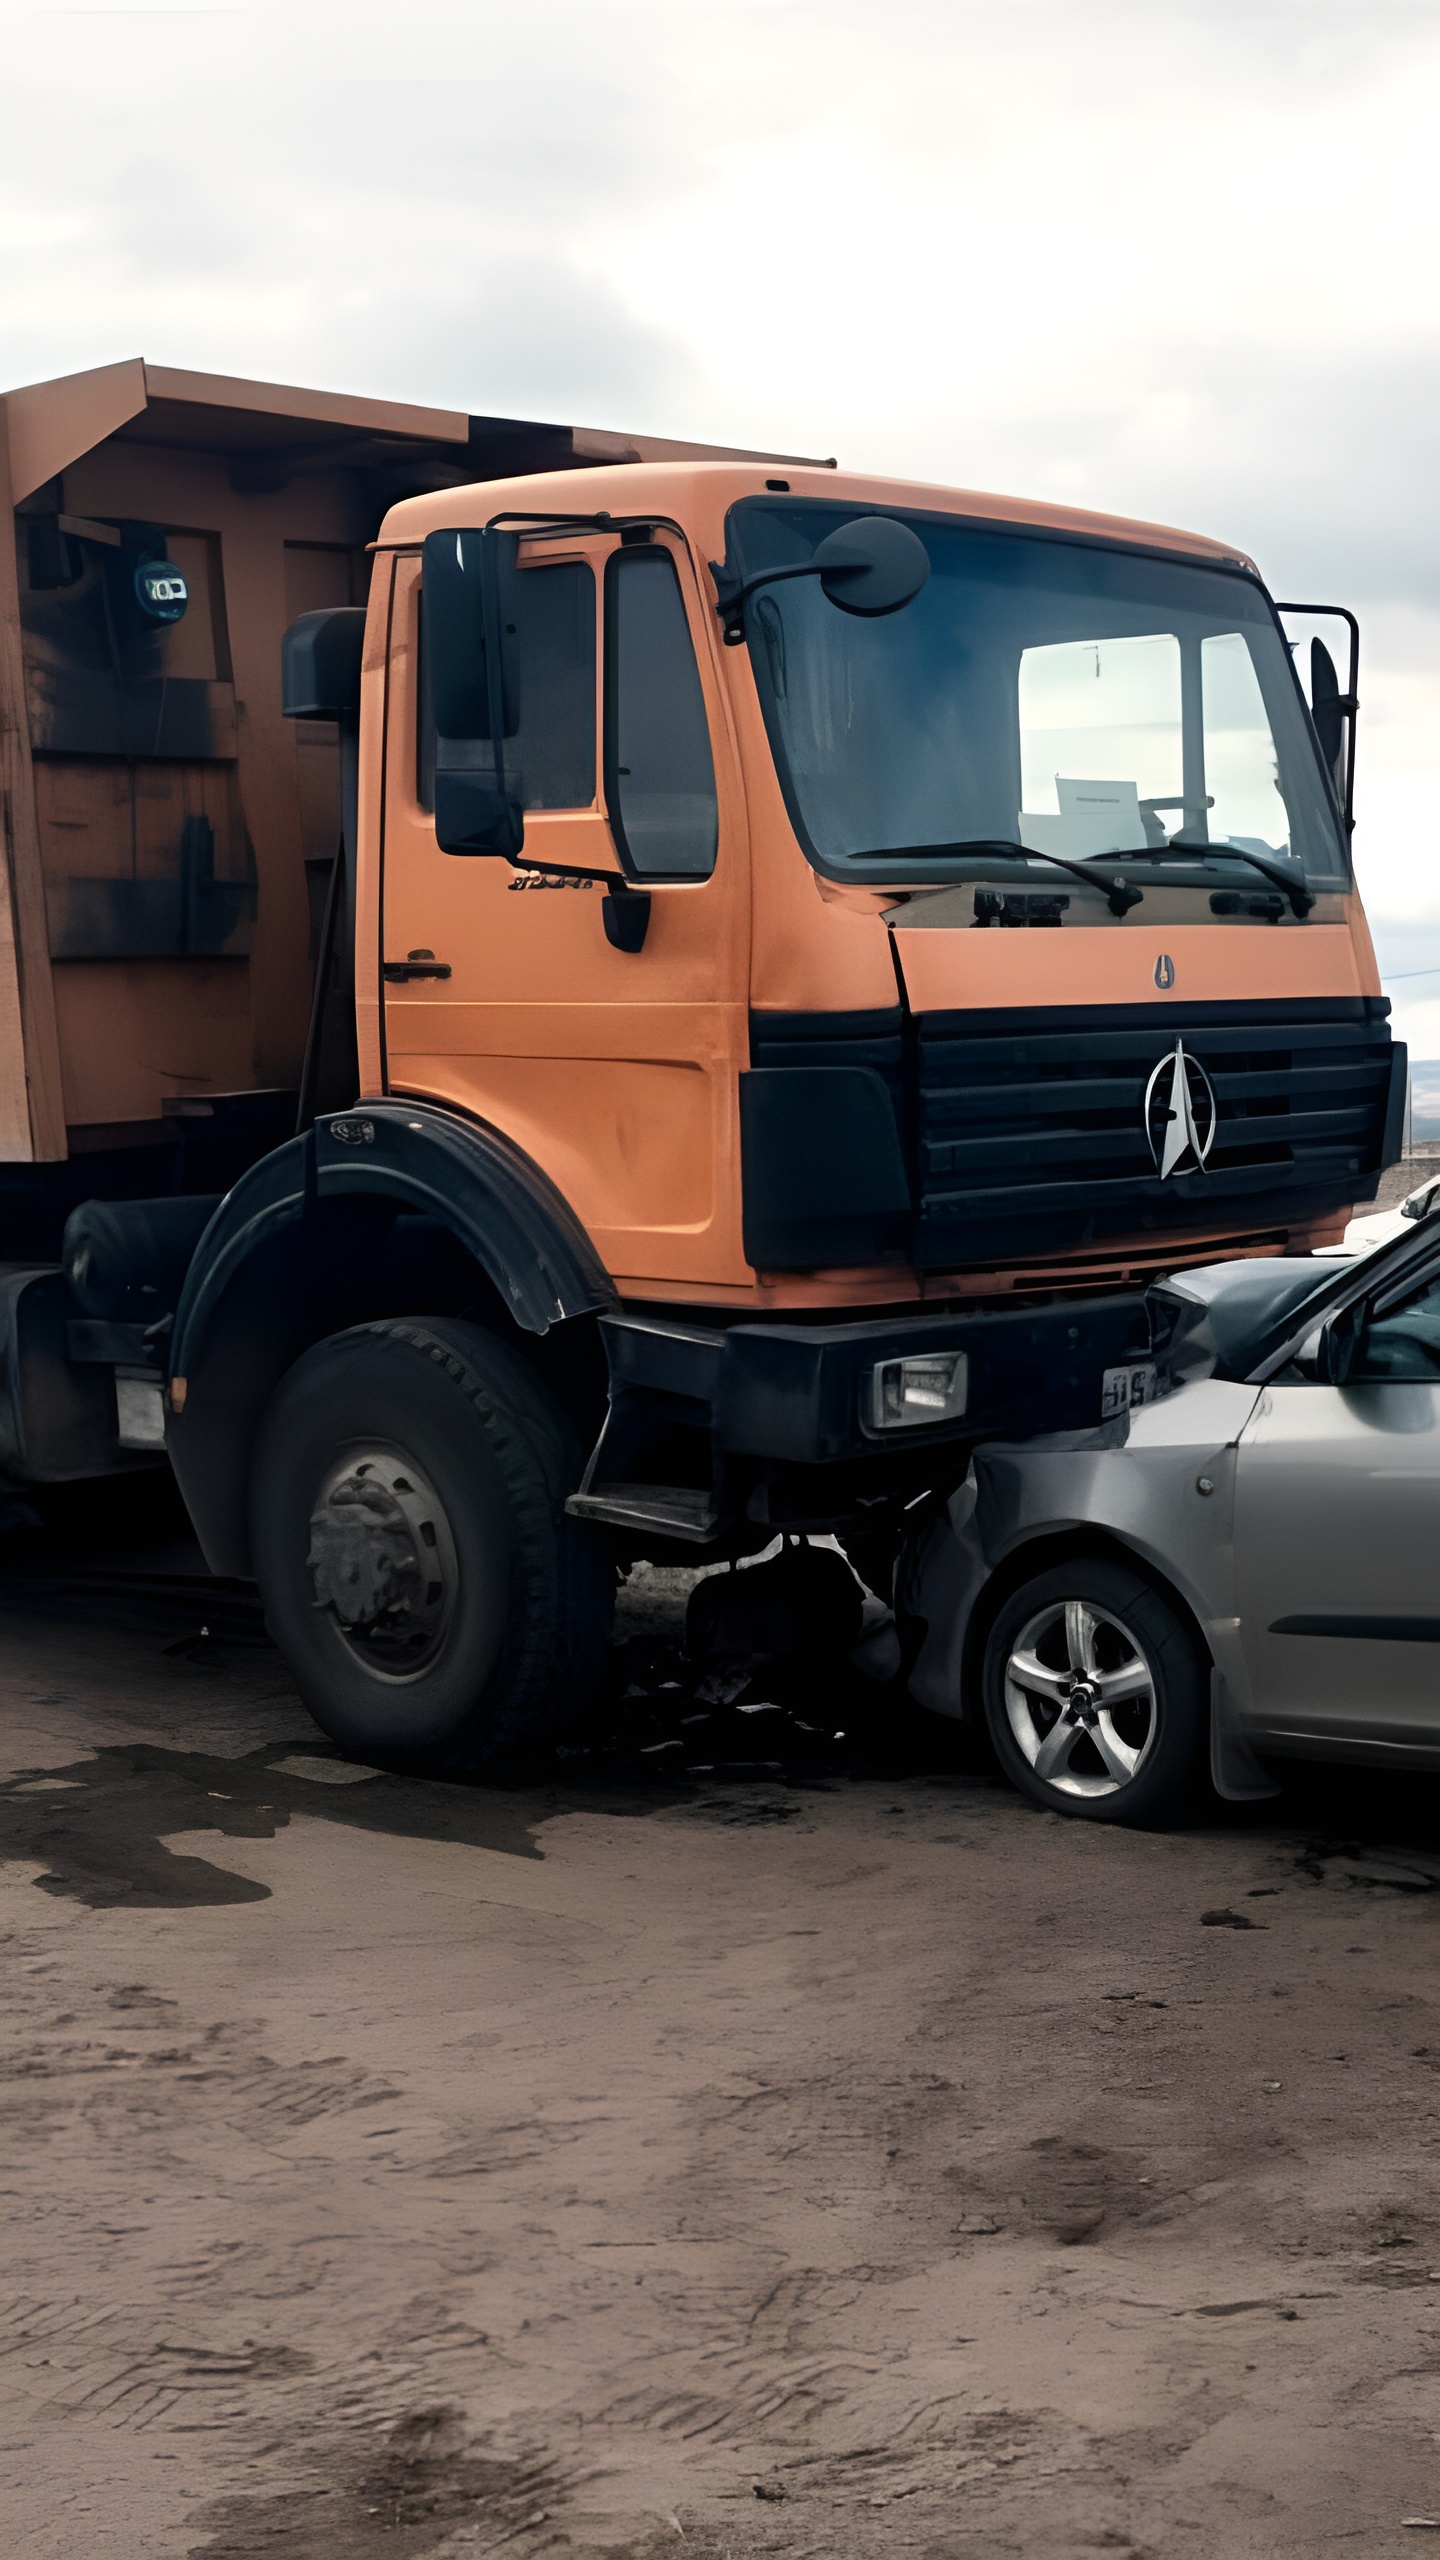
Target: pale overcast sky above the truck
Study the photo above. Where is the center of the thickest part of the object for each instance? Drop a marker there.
(1172, 257)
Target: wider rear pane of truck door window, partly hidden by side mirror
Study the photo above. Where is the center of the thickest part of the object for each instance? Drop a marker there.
(552, 756)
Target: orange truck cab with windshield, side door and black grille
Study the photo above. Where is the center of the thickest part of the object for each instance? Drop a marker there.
(834, 941)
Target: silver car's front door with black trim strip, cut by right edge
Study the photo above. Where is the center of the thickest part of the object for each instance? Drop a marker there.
(1339, 1532)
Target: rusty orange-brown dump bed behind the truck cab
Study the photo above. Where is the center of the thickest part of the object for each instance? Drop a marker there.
(170, 833)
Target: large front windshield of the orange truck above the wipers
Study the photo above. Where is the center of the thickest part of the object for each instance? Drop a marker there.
(1060, 695)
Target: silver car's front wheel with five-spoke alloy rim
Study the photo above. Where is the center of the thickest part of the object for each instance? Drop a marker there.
(1098, 1696)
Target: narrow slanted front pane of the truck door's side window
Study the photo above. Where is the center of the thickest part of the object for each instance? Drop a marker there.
(660, 777)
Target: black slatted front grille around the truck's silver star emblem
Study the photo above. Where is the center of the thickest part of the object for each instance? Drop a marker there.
(1031, 1128)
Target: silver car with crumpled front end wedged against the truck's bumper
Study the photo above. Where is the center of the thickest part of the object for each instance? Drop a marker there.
(1239, 1565)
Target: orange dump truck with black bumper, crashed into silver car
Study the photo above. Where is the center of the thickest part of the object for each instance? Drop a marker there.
(583, 1000)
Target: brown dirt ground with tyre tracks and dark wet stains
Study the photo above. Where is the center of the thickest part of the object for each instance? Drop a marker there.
(811, 2154)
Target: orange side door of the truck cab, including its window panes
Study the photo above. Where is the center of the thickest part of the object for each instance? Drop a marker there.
(614, 1069)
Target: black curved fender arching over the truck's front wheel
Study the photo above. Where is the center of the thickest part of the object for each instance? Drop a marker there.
(260, 1289)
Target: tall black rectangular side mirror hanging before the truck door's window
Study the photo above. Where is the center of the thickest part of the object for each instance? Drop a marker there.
(470, 664)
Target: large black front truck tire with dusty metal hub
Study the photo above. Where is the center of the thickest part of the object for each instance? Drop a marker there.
(419, 1573)
